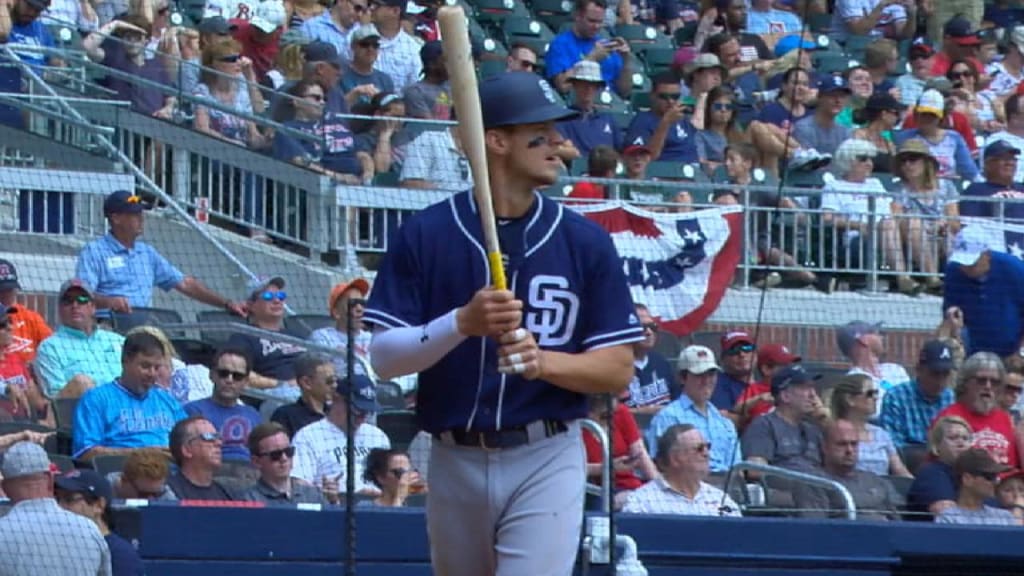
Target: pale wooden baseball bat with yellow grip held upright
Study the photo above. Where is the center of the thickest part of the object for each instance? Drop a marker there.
(462, 75)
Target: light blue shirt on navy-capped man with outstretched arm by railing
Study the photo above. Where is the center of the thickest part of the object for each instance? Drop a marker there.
(113, 270)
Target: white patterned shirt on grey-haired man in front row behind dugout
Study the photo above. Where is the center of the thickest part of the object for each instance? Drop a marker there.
(657, 498)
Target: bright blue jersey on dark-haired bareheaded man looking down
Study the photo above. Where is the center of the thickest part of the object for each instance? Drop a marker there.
(113, 417)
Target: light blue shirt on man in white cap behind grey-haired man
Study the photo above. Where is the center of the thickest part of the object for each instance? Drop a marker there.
(716, 429)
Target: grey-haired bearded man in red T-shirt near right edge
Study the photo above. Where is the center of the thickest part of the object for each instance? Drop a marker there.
(977, 384)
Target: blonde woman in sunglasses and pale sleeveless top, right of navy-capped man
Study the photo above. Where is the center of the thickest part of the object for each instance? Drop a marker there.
(856, 399)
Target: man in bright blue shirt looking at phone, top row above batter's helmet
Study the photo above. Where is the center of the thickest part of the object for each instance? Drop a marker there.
(584, 43)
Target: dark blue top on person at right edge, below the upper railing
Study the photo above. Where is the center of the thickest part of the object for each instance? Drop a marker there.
(993, 306)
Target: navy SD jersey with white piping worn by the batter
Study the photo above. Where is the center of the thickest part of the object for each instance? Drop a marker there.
(563, 267)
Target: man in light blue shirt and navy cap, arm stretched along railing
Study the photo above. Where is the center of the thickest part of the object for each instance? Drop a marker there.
(123, 270)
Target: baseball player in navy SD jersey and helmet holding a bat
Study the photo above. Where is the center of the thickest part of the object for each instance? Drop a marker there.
(503, 374)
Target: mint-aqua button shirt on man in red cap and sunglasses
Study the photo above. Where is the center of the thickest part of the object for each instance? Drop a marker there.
(69, 353)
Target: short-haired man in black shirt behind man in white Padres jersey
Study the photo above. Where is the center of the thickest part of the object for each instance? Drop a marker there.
(317, 379)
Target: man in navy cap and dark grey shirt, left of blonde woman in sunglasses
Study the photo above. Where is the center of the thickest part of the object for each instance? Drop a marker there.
(788, 437)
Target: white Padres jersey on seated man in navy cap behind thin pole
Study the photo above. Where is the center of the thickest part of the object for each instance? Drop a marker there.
(321, 447)
